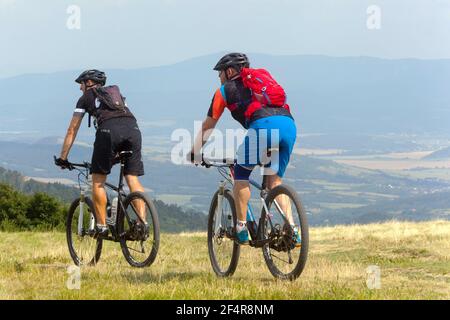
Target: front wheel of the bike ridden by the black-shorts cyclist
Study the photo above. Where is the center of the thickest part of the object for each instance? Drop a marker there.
(83, 248)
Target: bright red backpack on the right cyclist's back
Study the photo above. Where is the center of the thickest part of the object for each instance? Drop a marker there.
(265, 90)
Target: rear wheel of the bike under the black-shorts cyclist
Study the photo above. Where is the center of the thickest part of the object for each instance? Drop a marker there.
(139, 243)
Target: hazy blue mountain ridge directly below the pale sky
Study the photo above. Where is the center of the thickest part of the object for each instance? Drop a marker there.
(326, 94)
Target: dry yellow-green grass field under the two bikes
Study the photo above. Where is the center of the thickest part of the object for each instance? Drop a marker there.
(414, 259)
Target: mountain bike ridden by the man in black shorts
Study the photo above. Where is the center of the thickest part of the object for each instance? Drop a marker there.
(125, 218)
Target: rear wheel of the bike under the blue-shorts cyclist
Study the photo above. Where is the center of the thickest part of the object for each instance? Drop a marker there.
(285, 224)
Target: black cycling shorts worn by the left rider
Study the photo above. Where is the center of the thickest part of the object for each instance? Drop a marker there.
(113, 136)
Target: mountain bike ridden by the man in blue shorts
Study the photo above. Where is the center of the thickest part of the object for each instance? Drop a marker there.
(274, 232)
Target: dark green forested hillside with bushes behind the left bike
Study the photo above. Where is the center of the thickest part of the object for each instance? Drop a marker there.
(28, 204)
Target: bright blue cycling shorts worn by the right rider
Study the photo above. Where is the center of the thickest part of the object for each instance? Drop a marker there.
(277, 133)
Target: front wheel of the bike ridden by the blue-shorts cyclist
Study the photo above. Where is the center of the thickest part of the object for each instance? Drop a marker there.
(223, 250)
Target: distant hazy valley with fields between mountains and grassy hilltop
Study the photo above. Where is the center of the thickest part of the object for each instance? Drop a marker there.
(333, 192)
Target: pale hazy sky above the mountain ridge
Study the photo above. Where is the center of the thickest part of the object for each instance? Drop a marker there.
(34, 36)
